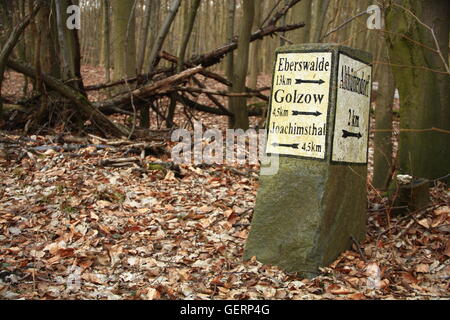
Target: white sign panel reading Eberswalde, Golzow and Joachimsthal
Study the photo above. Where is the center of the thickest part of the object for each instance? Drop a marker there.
(297, 122)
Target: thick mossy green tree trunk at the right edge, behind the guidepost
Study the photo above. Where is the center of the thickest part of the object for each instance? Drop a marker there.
(422, 78)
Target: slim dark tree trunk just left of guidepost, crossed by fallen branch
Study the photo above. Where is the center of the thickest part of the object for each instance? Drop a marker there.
(239, 104)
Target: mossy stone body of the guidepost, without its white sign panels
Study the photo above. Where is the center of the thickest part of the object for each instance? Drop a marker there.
(307, 213)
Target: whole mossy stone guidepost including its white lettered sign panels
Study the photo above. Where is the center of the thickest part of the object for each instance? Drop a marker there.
(318, 123)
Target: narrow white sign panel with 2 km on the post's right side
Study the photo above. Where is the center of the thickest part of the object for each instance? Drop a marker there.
(351, 126)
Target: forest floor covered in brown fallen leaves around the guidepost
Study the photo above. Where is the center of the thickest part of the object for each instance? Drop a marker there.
(72, 227)
